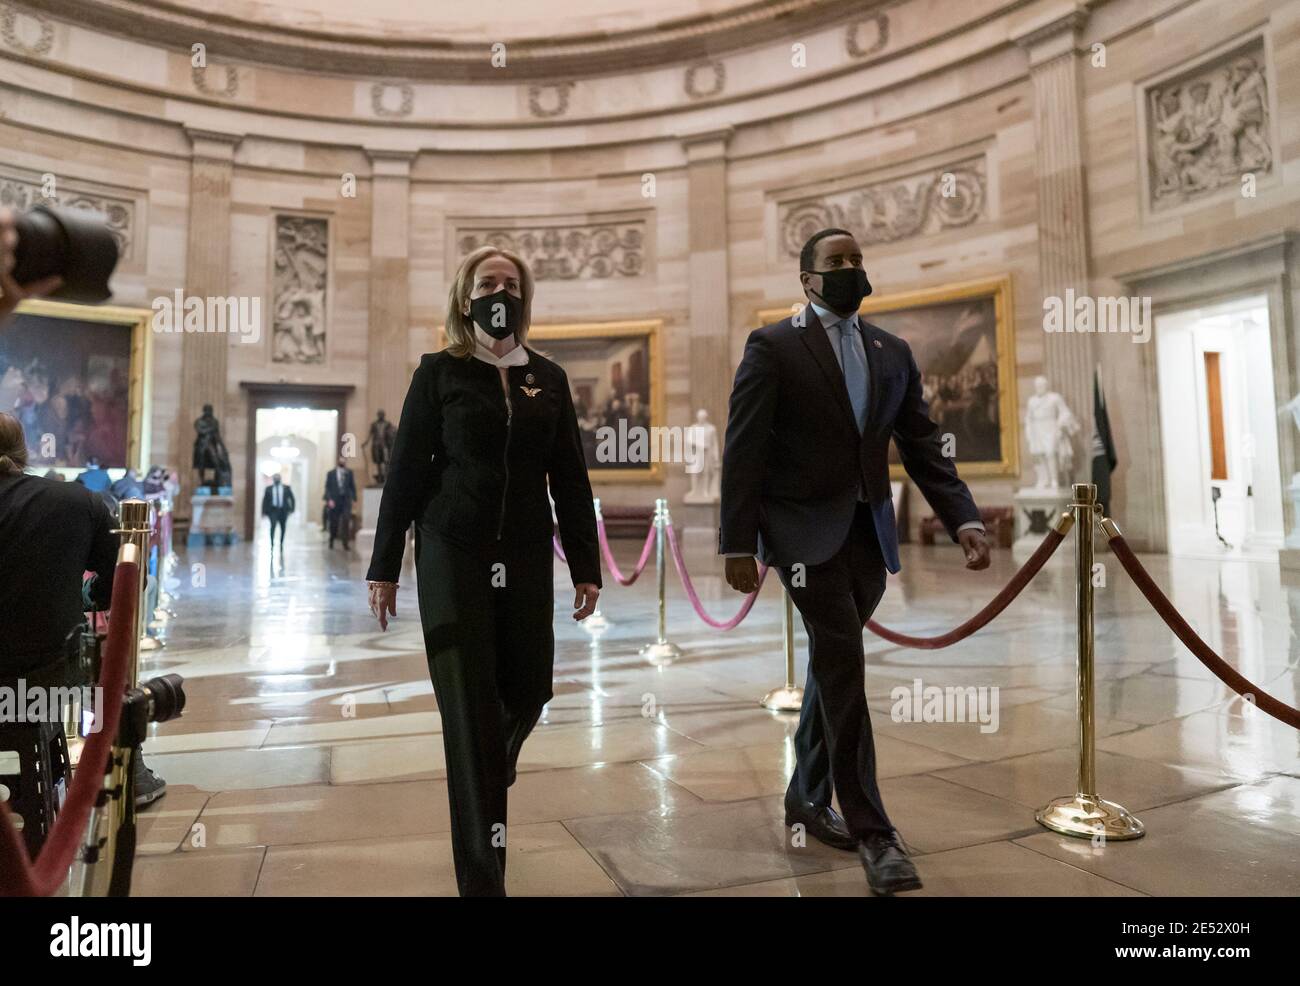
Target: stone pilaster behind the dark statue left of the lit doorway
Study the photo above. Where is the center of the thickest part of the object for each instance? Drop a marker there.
(207, 274)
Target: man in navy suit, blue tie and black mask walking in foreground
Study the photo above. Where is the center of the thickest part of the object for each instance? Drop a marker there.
(805, 487)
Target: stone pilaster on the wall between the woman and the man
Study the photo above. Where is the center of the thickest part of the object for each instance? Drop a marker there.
(709, 287)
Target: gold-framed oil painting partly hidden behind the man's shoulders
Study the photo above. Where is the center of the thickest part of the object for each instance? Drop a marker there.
(964, 343)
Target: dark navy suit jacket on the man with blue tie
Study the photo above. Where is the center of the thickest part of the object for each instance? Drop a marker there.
(794, 461)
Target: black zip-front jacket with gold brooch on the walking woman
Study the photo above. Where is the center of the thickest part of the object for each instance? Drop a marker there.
(474, 473)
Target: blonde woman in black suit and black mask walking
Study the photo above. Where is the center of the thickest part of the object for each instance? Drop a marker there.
(487, 427)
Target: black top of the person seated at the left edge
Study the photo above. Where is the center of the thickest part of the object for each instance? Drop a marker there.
(50, 534)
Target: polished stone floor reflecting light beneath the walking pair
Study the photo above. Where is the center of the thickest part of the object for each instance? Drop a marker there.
(310, 762)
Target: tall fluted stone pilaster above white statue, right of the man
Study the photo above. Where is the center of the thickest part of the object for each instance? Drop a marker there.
(1069, 358)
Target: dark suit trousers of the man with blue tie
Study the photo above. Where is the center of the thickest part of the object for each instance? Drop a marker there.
(834, 746)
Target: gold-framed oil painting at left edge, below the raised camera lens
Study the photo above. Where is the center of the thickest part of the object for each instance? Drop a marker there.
(77, 379)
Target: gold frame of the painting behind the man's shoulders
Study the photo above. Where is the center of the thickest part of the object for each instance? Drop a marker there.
(998, 293)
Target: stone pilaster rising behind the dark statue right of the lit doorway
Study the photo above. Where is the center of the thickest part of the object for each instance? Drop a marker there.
(388, 371)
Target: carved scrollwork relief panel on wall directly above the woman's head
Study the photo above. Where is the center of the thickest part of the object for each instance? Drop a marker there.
(591, 252)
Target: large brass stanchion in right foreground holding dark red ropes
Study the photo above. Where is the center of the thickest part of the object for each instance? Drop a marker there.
(1085, 815)
